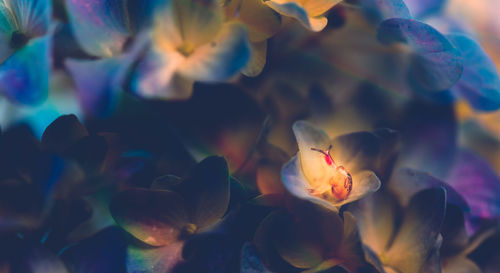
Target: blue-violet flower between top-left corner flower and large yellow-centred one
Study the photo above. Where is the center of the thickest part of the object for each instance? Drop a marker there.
(115, 31)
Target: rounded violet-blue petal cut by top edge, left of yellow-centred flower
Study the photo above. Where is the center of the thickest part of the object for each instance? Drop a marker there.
(100, 26)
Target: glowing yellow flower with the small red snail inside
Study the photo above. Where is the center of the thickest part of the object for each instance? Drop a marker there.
(330, 172)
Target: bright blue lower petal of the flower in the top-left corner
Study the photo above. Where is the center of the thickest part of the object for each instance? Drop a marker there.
(24, 77)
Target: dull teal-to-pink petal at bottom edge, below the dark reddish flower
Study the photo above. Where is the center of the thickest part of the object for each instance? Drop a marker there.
(154, 260)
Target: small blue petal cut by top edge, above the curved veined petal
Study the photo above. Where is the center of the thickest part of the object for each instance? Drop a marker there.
(385, 9)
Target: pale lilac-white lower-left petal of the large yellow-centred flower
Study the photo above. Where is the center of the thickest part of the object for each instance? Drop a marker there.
(156, 77)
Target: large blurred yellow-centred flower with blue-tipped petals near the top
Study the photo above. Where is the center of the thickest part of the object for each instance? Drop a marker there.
(191, 42)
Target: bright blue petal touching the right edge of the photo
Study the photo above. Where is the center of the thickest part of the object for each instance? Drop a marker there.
(480, 83)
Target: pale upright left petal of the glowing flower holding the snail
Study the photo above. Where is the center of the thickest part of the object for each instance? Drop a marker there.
(312, 162)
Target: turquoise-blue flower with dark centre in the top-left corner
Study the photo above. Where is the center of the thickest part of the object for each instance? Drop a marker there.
(25, 42)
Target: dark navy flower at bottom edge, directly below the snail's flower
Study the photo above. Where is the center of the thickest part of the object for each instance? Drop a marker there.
(309, 237)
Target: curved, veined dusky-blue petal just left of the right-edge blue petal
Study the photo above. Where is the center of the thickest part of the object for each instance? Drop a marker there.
(436, 64)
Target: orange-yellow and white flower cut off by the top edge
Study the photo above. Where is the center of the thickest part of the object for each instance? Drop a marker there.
(308, 12)
